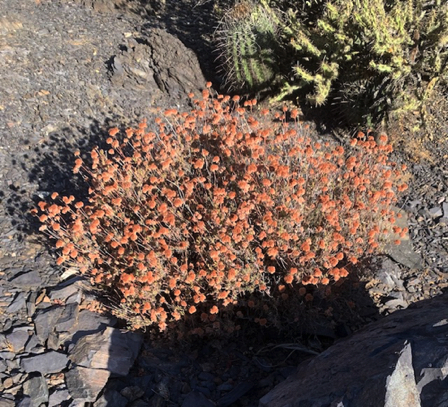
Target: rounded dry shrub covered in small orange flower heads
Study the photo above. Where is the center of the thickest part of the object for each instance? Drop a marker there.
(214, 203)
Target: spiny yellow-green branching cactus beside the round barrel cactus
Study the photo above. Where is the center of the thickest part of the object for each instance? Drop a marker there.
(377, 59)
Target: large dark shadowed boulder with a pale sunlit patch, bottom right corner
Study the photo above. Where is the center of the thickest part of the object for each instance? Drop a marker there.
(398, 361)
